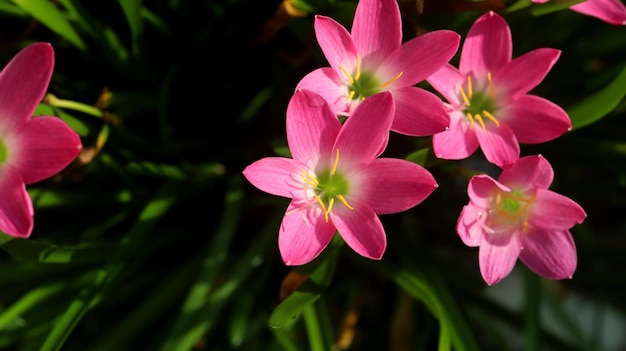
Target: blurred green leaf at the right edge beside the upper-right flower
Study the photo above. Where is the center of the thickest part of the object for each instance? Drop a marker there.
(599, 104)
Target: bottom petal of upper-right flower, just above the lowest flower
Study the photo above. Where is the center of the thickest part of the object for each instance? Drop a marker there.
(499, 144)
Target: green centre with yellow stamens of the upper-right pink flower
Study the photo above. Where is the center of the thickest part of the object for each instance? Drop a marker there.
(479, 104)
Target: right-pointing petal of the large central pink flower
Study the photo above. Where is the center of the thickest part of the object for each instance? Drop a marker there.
(395, 185)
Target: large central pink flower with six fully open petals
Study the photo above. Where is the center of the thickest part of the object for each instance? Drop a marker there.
(335, 180)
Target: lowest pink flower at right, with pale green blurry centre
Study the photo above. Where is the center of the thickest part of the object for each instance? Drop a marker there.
(517, 216)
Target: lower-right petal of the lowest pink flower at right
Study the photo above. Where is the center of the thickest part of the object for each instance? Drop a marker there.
(550, 254)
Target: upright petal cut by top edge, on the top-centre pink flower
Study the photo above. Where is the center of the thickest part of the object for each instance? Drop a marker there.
(377, 29)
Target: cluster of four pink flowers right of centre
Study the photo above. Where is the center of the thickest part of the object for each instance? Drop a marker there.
(337, 181)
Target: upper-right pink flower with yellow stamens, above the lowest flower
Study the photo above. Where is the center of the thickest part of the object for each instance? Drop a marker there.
(488, 98)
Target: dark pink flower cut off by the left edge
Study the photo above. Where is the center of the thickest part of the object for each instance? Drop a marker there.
(31, 149)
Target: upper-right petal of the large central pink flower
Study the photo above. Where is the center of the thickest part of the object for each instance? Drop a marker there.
(366, 130)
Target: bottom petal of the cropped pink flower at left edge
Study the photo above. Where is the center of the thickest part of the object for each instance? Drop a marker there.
(16, 209)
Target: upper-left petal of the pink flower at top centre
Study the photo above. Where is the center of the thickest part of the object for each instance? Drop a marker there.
(336, 43)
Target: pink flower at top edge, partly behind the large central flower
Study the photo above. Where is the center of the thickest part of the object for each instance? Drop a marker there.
(372, 59)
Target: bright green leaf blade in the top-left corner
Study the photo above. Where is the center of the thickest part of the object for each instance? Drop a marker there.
(49, 15)
